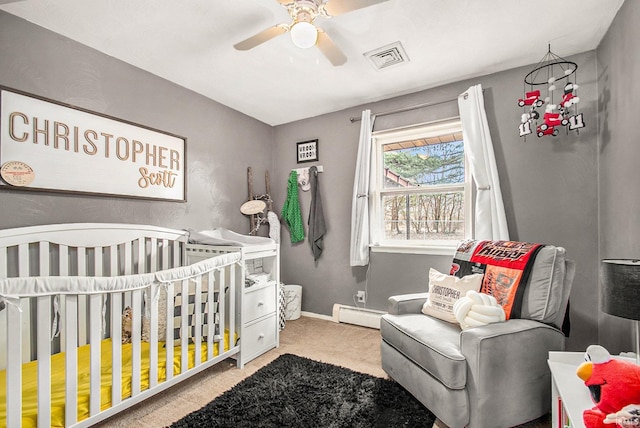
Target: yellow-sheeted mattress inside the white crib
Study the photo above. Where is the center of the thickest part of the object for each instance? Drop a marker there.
(30, 381)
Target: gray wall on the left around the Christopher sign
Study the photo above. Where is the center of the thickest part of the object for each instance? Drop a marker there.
(221, 143)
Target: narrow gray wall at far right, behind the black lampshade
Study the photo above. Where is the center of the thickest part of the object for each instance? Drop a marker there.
(619, 175)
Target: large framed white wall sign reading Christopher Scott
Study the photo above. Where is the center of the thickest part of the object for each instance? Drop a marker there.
(49, 146)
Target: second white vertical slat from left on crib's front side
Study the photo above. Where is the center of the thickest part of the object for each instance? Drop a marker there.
(44, 359)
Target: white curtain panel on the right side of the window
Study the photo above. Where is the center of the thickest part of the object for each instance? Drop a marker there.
(490, 218)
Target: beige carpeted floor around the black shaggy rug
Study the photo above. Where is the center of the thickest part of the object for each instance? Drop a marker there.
(353, 347)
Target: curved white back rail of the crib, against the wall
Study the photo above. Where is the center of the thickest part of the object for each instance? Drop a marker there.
(83, 249)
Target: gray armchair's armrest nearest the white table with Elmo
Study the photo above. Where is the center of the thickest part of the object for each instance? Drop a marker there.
(507, 362)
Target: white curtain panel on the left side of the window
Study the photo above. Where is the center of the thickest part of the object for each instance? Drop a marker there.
(360, 233)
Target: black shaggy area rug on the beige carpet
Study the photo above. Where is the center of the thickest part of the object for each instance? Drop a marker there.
(293, 391)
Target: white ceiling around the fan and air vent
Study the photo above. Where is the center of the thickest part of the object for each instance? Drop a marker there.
(190, 42)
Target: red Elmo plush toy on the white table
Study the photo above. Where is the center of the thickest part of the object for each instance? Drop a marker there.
(613, 384)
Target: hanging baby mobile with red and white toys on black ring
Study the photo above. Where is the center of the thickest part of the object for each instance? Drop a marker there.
(561, 109)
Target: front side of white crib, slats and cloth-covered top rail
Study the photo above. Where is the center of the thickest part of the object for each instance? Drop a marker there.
(203, 293)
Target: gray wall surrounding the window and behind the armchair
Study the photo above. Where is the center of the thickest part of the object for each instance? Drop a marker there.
(549, 186)
